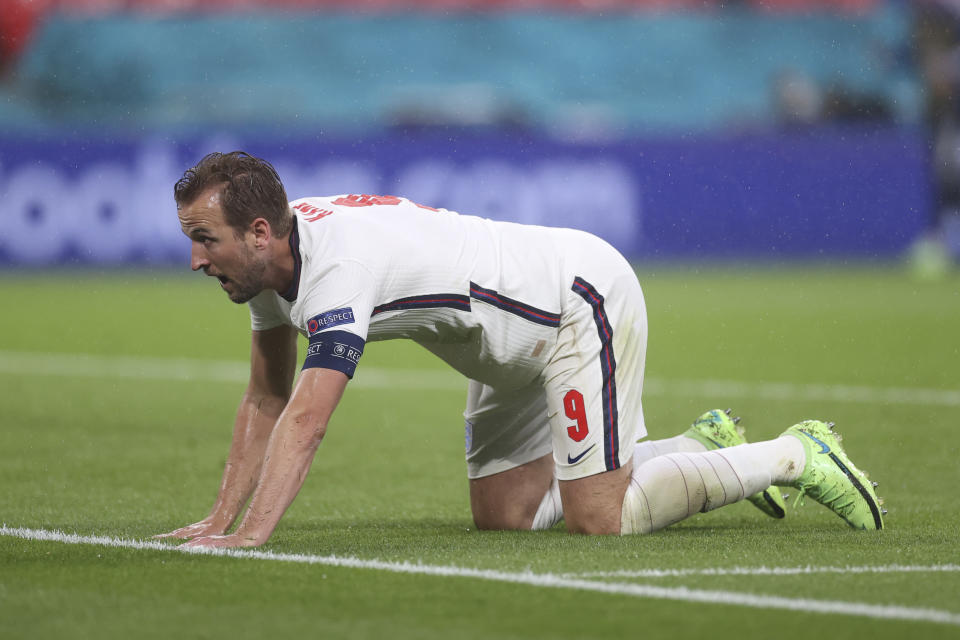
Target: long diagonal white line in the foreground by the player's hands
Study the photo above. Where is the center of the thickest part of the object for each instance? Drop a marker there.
(859, 609)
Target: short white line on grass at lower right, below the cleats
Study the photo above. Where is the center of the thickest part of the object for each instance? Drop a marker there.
(766, 571)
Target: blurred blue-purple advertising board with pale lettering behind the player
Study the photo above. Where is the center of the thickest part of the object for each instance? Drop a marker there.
(837, 193)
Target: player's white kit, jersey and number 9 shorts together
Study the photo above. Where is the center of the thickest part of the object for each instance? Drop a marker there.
(550, 324)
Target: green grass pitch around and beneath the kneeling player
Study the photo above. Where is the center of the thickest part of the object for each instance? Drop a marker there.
(129, 440)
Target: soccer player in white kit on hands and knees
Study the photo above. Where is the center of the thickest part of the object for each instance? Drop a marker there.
(549, 326)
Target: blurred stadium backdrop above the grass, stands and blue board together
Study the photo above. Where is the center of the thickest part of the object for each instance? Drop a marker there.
(677, 129)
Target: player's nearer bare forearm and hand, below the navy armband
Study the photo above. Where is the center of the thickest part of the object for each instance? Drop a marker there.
(290, 452)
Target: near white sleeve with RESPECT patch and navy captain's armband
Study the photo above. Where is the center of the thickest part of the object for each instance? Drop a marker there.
(337, 308)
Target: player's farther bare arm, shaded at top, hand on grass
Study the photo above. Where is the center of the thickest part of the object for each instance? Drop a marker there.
(273, 360)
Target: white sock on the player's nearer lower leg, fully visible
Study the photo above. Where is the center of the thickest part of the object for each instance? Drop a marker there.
(670, 488)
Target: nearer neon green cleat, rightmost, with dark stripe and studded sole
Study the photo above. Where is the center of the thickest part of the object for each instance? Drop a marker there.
(832, 480)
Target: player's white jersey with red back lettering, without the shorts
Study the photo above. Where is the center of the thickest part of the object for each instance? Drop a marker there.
(484, 296)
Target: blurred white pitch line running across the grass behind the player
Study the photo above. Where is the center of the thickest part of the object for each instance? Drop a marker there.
(192, 369)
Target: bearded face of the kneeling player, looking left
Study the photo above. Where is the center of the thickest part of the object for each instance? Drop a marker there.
(219, 251)
